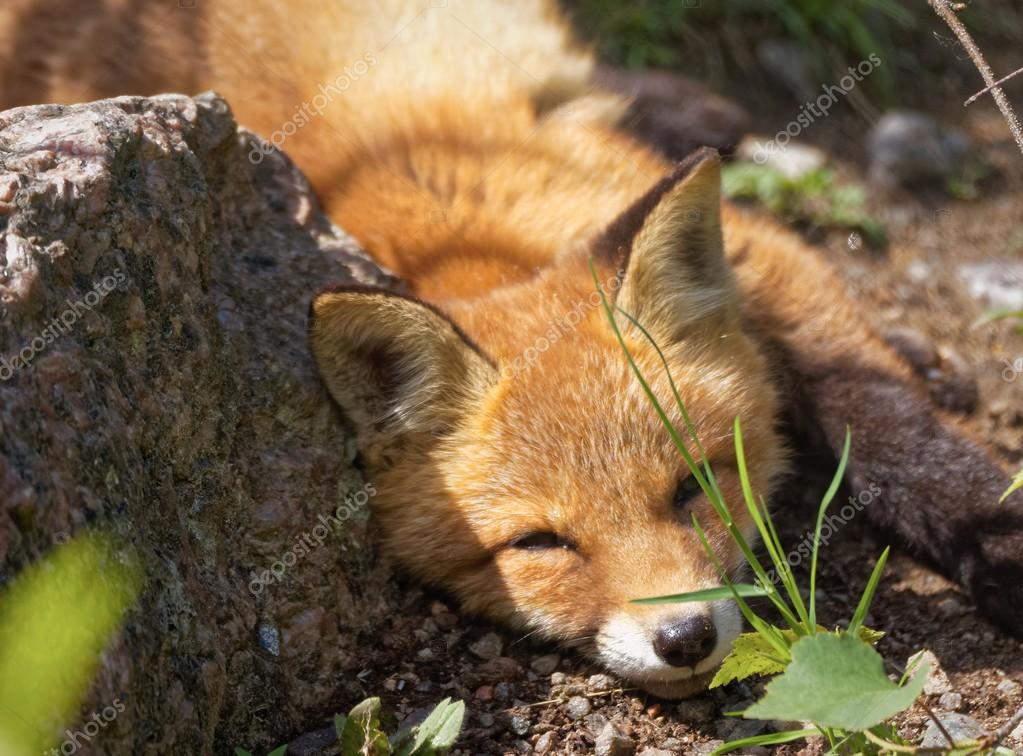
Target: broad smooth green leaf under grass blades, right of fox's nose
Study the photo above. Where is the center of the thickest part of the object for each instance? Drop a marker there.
(836, 682)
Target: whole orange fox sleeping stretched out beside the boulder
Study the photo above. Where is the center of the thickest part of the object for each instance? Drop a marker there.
(518, 463)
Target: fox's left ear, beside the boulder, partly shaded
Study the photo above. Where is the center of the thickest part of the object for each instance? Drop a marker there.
(394, 365)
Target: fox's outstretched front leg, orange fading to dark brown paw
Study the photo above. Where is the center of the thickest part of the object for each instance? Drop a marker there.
(940, 487)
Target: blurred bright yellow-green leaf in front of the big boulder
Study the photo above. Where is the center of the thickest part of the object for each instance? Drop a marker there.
(56, 619)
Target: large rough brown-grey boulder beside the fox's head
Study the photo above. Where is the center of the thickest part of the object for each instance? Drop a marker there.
(183, 413)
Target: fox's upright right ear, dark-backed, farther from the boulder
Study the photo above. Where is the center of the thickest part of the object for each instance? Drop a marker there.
(671, 246)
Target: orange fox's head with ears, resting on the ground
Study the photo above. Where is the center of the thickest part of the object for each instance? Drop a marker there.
(521, 467)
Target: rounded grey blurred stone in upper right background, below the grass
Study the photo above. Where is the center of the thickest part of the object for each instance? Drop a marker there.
(907, 148)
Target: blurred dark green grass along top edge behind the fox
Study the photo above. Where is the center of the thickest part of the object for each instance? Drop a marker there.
(674, 33)
